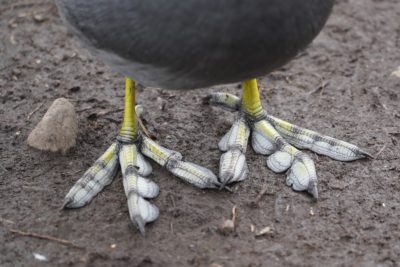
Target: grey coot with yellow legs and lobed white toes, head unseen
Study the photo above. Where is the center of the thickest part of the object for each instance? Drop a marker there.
(192, 44)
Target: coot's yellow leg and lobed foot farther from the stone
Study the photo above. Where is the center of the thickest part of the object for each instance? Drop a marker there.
(276, 139)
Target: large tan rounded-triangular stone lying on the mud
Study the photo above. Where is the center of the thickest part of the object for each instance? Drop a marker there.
(58, 129)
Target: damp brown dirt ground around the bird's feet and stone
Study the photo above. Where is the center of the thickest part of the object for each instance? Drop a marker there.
(355, 221)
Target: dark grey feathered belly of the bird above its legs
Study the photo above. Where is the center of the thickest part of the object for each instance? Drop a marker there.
(195, 43)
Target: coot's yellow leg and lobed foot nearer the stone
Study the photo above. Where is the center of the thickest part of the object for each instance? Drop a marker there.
(128, 150)
